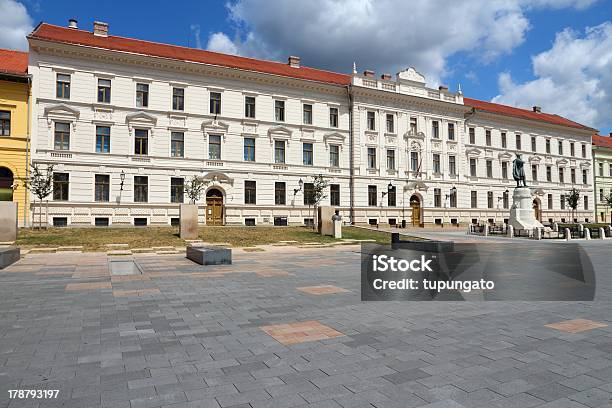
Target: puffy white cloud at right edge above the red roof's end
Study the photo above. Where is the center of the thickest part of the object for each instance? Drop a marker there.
(572, 79)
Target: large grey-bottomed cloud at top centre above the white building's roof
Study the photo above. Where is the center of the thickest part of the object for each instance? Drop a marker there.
(385, 35)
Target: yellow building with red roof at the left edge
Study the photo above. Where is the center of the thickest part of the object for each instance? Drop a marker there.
(14, 130)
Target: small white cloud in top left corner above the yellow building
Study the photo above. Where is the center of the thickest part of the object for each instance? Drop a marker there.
(15, 24)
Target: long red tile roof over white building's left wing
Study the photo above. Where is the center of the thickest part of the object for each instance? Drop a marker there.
(81, 37)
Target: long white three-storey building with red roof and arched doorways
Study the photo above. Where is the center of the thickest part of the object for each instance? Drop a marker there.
(126, 122)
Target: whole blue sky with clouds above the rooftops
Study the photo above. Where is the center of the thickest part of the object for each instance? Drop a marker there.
(556, 54)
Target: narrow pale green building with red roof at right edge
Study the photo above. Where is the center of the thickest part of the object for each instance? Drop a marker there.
(602, 160)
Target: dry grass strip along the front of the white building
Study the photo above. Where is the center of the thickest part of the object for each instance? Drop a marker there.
(95, 239)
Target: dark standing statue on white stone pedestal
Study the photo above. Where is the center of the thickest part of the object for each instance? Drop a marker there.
(521, 212)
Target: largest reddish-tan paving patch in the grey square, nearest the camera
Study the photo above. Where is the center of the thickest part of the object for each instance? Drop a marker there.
(300, 332)
